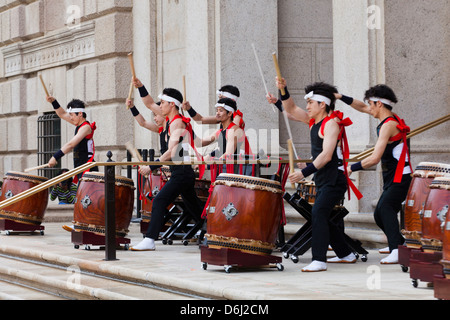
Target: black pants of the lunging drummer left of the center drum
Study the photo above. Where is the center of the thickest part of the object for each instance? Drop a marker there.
(182, 183)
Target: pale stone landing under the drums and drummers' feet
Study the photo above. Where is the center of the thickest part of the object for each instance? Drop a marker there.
(180, 267)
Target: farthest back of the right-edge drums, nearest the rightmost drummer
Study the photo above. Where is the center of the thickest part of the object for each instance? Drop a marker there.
(416, 198)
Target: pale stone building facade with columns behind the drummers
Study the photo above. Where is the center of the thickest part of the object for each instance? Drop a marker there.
(80, 49)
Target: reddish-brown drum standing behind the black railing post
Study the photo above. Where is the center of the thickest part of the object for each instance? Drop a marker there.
(89, 210)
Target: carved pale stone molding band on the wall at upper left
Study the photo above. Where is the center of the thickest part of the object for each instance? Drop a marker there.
(66, 47)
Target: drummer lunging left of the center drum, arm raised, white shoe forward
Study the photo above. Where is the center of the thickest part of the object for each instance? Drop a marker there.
(176, 137)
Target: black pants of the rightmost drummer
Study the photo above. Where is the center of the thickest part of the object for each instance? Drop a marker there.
(389, 205)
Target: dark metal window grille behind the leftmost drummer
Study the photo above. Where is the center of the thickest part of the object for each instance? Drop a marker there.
(49, 141)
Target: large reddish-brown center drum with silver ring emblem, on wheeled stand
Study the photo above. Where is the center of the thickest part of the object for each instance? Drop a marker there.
(244, 214)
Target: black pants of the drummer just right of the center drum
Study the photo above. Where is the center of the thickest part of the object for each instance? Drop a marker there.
(325, 233)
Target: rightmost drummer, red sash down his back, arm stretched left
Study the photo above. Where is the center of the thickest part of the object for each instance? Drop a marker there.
(392, 151)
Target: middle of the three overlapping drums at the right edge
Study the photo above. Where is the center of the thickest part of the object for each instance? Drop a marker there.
(435, 214)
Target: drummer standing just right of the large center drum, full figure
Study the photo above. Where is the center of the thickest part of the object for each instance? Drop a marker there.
(331, 182)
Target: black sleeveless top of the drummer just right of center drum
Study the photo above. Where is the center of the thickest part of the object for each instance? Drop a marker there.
(327, 175)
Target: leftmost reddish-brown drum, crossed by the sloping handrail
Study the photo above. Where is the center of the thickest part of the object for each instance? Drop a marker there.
(27, 211)
